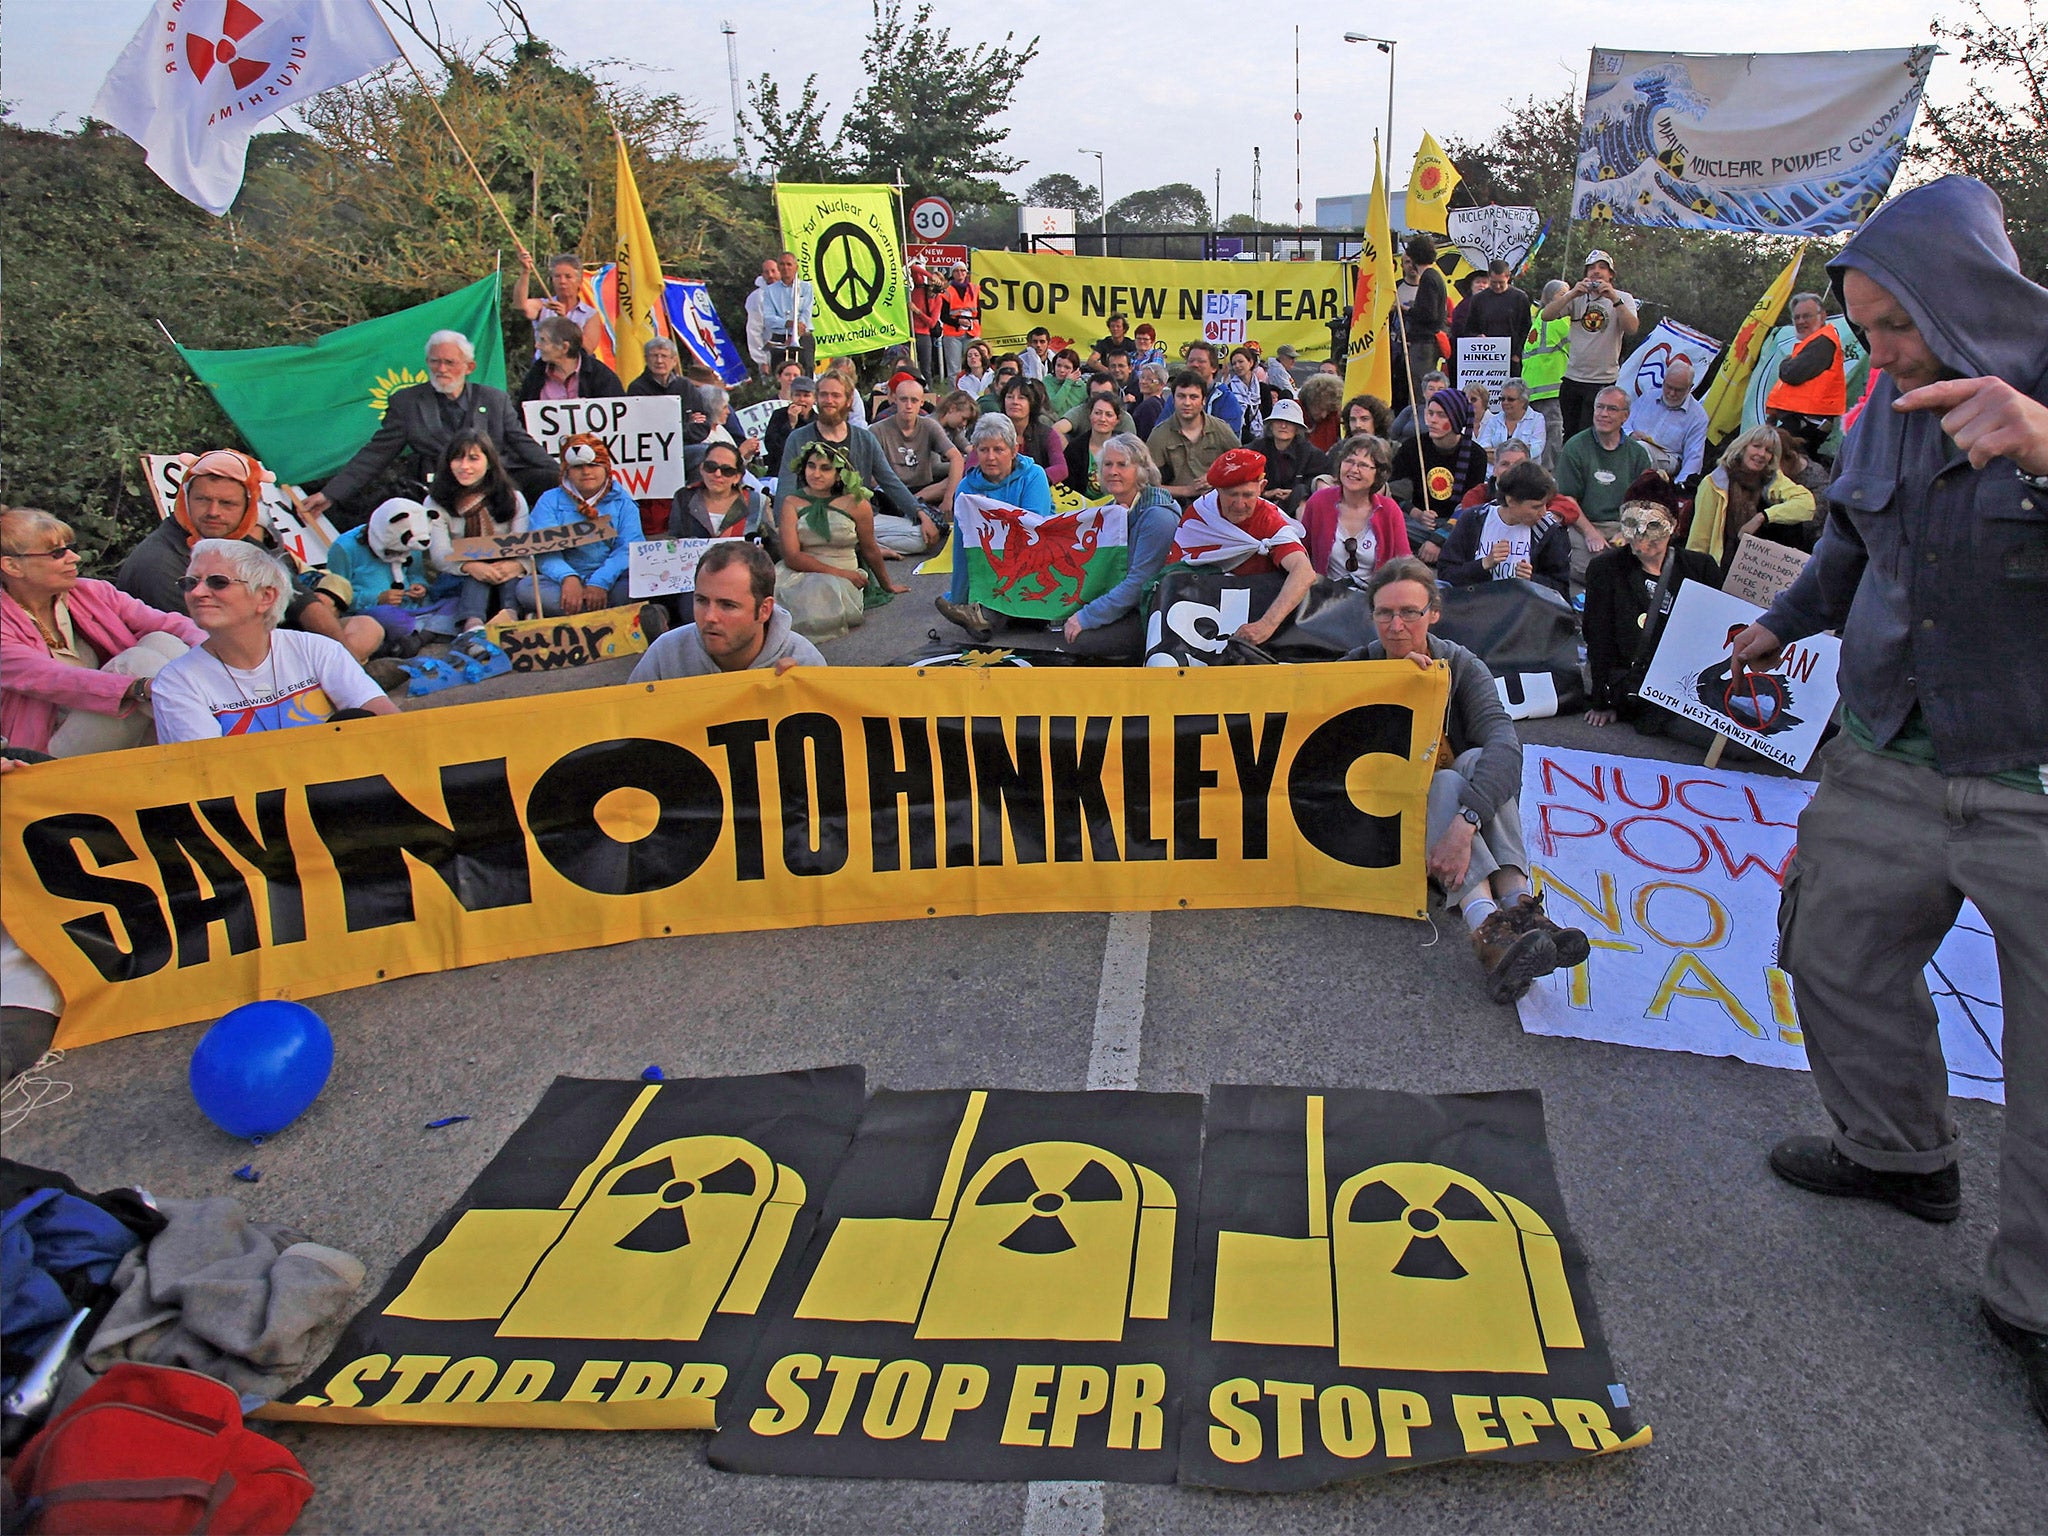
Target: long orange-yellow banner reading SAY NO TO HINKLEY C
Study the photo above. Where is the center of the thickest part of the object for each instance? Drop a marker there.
(173, 884)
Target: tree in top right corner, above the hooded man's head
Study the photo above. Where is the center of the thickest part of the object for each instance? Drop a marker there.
(2000, 132)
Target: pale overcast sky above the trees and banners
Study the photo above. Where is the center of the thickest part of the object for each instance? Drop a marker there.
(1166, 89)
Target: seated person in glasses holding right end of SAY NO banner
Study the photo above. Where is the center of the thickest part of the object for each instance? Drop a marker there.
(1476, 800)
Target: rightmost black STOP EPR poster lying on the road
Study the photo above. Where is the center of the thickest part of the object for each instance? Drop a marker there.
(1388, 1281)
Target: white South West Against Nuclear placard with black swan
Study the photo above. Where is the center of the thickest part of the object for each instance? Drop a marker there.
(1777, 714)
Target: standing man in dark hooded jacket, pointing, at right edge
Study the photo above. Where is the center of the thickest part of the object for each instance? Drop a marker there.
(1934, 568)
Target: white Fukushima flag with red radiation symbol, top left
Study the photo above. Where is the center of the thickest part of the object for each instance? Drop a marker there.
(202, 75)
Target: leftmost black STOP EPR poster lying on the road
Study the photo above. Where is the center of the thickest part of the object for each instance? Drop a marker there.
(607, 1271)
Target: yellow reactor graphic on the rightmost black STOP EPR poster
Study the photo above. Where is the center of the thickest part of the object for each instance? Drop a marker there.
(1412, 1267)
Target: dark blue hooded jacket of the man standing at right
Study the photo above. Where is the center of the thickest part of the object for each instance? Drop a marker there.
(1936, 574)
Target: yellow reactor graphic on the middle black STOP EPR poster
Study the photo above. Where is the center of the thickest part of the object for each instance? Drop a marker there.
(1054, 1240)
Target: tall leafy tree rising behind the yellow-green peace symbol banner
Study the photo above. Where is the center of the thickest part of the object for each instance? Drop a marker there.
(931, 114)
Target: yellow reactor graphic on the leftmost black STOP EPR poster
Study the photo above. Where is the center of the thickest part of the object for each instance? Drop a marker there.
(642, 1248)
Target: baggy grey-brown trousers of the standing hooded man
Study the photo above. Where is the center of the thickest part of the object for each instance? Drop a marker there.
(1887, 855)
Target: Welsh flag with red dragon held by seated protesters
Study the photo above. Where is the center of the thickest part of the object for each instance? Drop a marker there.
(1035, 566)
